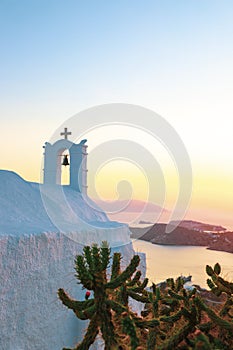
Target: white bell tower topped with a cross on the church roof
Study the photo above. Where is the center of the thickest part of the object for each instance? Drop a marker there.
(78, 162)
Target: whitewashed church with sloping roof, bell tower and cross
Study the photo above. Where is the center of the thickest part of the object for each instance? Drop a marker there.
(36, 260)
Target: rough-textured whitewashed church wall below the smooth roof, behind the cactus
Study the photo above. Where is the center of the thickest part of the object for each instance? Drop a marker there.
(33, 267)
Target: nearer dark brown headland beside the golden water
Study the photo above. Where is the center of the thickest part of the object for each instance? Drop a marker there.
(183, 236)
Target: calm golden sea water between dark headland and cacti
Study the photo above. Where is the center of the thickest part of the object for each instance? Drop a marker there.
(172, 261)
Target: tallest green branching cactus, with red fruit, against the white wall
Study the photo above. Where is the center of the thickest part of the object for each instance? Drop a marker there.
(91, 272)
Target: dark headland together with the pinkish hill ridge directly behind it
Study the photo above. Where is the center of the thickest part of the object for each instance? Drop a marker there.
(188, 233)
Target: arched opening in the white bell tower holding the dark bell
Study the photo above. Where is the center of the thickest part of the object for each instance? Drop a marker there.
(63, 167)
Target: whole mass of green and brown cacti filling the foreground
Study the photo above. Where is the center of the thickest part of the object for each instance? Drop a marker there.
(173, 317)
